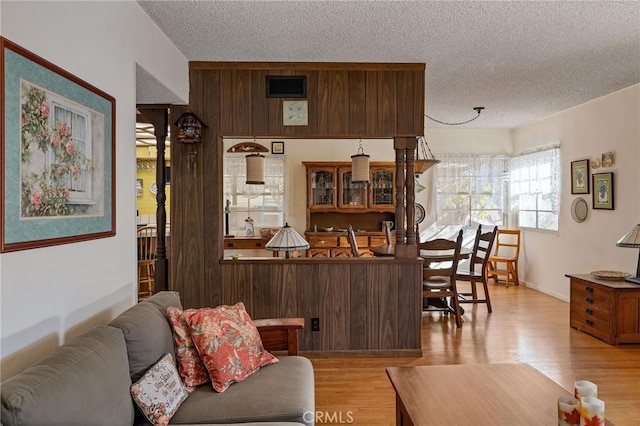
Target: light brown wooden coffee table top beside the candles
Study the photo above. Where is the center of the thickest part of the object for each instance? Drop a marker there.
(477, 394)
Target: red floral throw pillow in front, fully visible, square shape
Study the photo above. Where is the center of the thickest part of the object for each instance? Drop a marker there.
(228, 343)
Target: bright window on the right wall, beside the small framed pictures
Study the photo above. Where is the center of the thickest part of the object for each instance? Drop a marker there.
(535, 189)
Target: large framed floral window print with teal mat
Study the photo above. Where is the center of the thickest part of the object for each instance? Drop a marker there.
(58, 143)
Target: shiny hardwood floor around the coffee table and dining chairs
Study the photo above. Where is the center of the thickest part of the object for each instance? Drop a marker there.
(525, 326)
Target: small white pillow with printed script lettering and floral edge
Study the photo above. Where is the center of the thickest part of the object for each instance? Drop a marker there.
(159, 392)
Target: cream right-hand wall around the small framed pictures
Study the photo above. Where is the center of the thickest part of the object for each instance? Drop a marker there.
(610, 123)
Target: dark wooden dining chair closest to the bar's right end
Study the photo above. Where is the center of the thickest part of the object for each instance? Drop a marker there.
(440, 283)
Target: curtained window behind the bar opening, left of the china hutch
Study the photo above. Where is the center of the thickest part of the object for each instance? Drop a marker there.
(265, 204)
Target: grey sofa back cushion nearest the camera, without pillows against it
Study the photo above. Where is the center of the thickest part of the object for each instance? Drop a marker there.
(83, 382)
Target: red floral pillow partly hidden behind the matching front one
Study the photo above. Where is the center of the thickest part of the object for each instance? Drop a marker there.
(190, 365)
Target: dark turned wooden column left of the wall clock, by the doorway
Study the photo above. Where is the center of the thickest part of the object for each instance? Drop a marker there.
(158, 116)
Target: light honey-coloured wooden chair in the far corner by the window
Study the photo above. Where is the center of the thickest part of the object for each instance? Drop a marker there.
(507, 252)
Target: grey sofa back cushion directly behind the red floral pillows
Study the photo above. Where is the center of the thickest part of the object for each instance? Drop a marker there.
(147, 331)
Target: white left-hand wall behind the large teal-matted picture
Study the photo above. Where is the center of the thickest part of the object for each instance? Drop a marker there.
(51, 294)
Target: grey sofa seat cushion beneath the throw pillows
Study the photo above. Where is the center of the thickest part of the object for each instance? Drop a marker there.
(282, 392)
